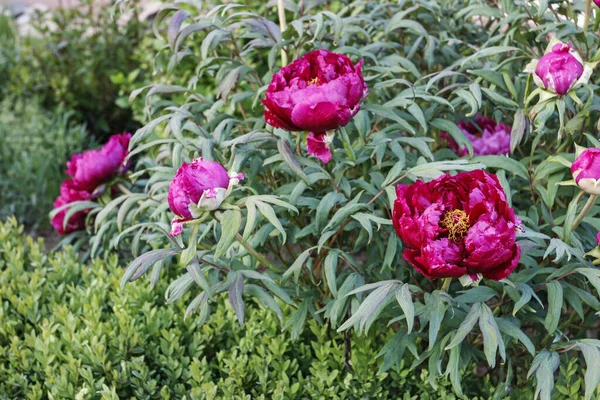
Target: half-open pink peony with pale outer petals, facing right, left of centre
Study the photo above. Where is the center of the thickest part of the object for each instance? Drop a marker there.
(198, 187)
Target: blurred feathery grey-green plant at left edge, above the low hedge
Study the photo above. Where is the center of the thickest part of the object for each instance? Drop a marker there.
(36, 143)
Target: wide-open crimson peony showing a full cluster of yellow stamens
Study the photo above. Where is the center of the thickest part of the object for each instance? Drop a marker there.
(457, 226)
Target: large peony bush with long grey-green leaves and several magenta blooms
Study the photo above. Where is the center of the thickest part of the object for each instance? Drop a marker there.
(404, 165)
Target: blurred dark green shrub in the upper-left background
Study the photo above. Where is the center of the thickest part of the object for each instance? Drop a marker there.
(67, 57)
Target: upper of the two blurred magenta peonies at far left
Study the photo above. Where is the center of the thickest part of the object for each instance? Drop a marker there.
(95, 167)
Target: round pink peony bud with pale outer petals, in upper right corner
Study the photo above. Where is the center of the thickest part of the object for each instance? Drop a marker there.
(560, 69)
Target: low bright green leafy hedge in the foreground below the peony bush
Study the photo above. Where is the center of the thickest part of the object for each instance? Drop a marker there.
(68, 331)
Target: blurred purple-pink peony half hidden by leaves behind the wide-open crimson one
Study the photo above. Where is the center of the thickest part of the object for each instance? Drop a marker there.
(487, 136)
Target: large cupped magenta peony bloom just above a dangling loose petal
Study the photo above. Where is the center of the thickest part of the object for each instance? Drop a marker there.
(318, 92)
